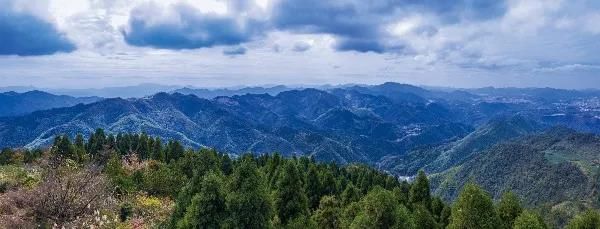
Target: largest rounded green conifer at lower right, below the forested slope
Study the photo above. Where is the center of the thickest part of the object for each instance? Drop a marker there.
(473, 209)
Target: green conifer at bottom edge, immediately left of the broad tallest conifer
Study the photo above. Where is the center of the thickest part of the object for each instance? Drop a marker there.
(207, 208)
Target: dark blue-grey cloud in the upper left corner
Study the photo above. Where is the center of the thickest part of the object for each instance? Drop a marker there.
(25, 34)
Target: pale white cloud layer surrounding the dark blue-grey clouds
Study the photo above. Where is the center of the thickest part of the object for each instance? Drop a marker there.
(530, 38)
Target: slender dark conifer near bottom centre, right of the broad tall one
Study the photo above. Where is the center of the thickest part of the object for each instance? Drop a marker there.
(290, 200)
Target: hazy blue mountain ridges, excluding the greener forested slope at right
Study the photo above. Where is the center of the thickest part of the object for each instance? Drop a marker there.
(385, 124)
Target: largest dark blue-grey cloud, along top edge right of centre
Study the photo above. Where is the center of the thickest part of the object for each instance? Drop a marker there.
(360, 25)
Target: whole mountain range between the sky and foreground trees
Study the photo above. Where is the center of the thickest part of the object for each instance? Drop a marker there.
(503, 138)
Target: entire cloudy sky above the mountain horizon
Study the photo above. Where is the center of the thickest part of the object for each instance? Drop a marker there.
(216, 43)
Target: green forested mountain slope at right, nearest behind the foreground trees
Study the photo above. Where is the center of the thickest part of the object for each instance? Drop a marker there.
(557, 166)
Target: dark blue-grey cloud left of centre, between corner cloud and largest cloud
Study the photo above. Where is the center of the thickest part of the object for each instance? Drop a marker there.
(191, 30)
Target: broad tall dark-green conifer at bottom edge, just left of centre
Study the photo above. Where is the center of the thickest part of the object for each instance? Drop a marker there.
(249, 204)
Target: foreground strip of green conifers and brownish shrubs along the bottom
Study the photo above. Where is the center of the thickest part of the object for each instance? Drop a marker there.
(135, 181)
